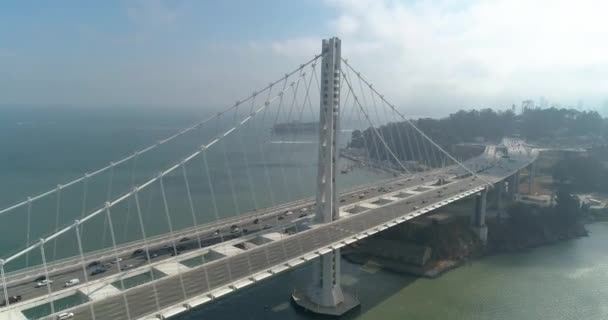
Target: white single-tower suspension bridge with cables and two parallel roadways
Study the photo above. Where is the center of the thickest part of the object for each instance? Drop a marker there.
(181, 248)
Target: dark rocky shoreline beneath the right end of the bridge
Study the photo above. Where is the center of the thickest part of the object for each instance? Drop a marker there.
(432, 245)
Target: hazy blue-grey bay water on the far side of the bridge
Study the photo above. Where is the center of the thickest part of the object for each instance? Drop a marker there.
(48, 147)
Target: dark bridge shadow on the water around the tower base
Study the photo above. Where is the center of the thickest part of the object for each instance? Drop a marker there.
(271, 299)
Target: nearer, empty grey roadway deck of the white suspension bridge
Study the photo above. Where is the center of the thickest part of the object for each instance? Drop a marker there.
(215, 278)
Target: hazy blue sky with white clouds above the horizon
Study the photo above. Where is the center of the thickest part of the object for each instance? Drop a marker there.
(429, 58)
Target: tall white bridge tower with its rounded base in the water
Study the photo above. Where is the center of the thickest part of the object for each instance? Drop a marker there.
(325, 295)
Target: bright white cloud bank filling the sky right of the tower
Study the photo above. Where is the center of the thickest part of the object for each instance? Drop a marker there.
(450, 53)
